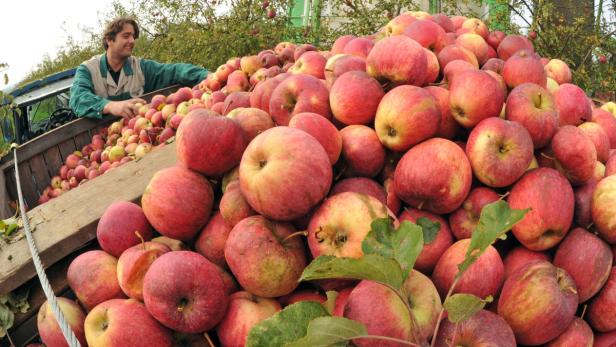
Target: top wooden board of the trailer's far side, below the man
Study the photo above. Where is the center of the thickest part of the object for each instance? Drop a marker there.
(54, 137)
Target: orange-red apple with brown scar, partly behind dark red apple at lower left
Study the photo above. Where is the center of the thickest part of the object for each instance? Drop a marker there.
(133, 265)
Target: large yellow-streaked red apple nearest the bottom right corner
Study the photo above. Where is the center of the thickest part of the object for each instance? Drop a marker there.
(549, 291)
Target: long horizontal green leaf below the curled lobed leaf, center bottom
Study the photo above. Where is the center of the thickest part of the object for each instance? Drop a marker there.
(369, 267)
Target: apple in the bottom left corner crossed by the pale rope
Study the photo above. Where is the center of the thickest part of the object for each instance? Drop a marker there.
(49, 329)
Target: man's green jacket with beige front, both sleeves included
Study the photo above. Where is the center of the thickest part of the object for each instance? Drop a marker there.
(93, 87)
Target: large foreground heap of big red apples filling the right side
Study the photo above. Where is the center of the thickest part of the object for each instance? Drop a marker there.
(296, 151)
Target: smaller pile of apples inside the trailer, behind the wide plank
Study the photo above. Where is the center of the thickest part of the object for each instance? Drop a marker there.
(125, 140)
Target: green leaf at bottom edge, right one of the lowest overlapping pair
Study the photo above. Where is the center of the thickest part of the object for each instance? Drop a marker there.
(330, 331)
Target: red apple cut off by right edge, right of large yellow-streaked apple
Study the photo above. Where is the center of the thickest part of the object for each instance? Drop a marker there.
(601, 313)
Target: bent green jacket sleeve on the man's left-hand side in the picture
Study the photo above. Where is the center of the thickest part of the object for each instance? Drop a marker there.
(83, 101)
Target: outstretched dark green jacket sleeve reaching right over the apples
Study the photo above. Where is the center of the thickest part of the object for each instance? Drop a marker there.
(159, 75)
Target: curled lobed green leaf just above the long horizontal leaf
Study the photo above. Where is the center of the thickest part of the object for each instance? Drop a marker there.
(403, 244)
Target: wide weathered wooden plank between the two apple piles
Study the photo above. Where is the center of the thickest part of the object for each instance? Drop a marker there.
(69, 221)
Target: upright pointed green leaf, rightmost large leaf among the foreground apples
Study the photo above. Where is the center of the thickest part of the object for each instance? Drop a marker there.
(496, 219)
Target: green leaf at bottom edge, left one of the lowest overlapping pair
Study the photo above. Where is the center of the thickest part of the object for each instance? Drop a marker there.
(285, 326)
